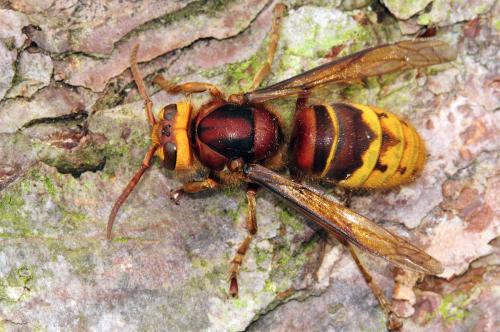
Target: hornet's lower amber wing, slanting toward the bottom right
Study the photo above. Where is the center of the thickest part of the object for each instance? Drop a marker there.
(345, 223)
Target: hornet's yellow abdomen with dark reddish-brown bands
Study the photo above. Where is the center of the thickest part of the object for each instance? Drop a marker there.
(356, 146)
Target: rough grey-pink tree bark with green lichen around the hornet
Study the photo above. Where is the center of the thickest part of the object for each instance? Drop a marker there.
(73, 132)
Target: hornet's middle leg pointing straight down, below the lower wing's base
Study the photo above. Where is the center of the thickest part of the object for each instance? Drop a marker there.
(237, 261)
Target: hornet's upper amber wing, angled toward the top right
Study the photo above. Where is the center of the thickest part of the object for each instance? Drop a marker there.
(374, 61)
